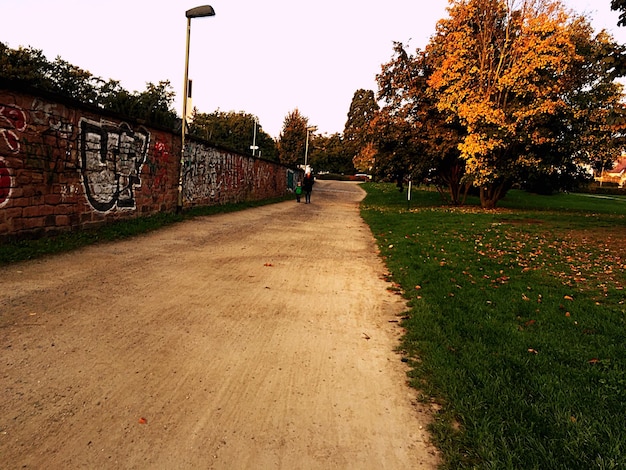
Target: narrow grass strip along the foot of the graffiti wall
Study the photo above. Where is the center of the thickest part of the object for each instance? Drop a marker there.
(11, 252)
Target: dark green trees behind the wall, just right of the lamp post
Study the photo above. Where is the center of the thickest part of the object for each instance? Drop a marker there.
(234, 130)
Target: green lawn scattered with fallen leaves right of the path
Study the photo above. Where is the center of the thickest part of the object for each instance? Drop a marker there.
(516, 324)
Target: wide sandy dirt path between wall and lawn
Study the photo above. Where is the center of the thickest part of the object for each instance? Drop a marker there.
(260, 339)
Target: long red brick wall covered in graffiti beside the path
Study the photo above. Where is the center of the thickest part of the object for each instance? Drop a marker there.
(64, 166)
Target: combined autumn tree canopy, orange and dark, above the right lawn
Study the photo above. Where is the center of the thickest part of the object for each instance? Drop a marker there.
(505, 92)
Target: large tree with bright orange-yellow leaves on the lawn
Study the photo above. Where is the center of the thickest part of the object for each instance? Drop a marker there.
(505, 67)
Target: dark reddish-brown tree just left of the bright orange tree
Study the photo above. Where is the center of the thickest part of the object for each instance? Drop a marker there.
(413, 137)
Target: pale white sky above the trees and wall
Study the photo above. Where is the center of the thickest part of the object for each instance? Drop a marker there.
(266, 58)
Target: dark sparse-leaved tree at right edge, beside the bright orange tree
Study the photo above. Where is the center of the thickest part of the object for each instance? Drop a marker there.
(589, 127)
